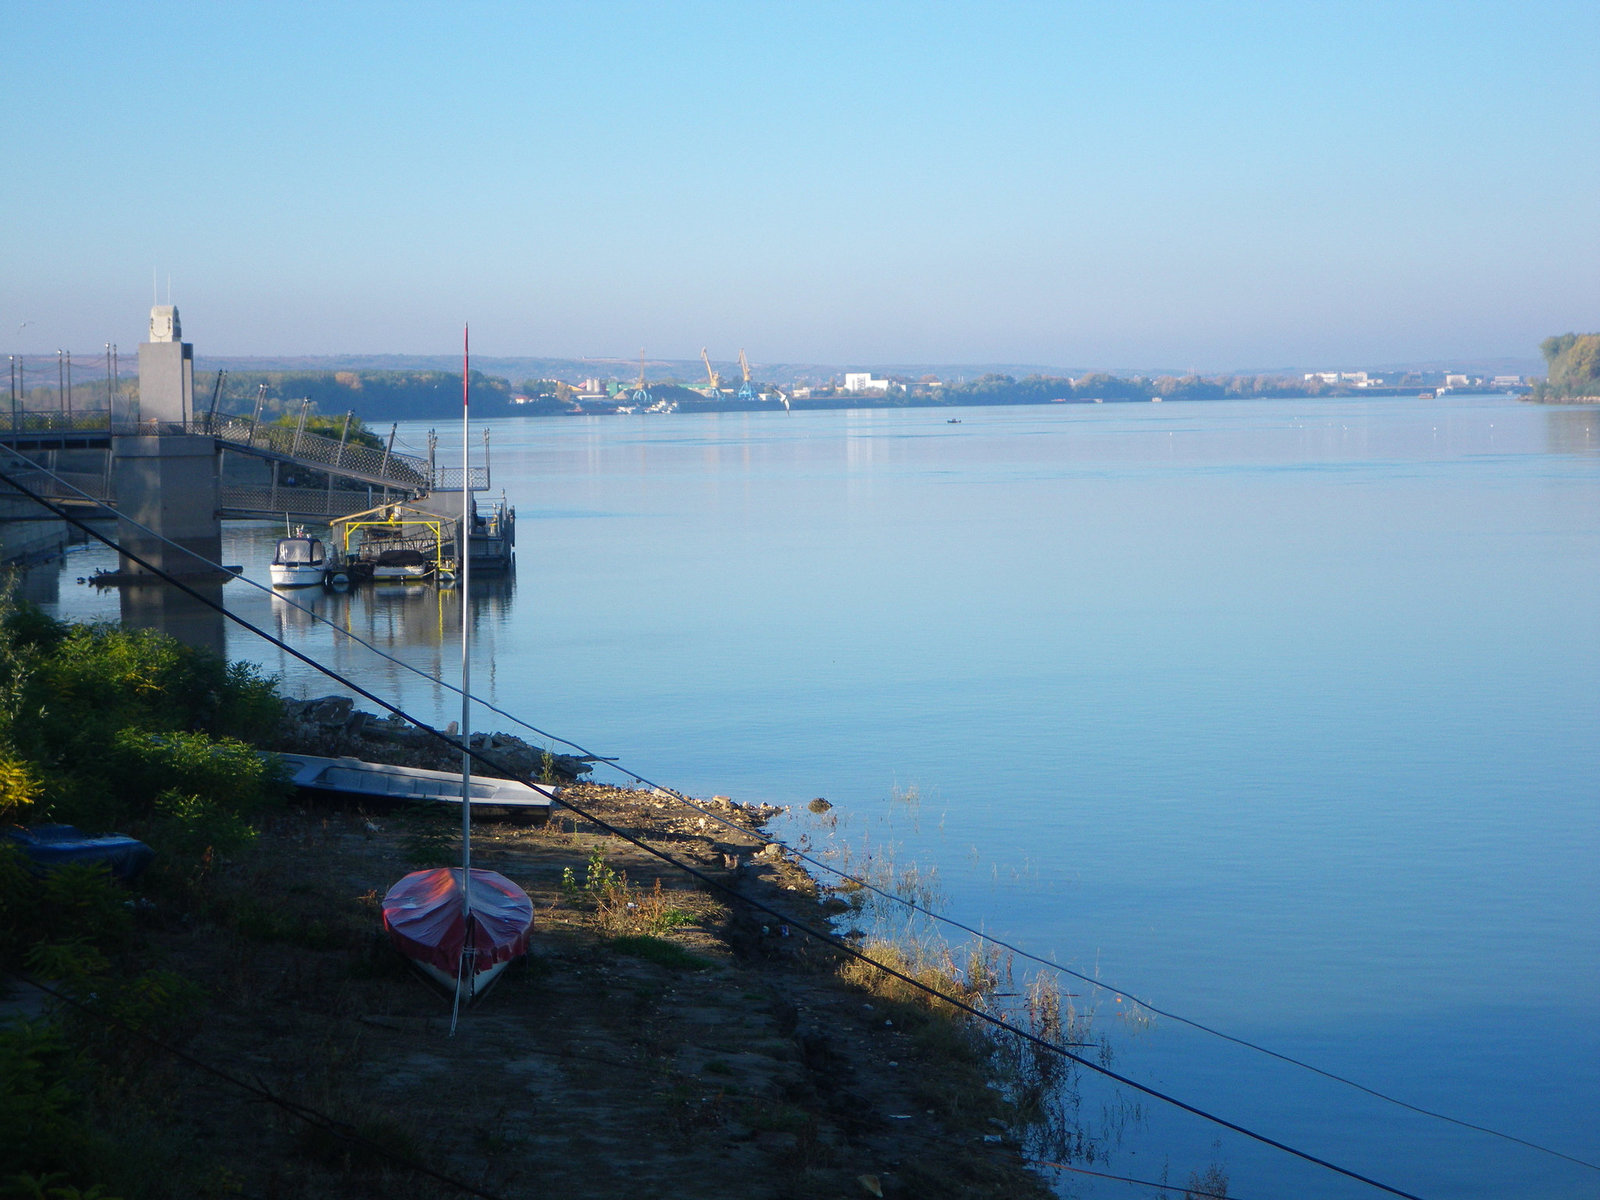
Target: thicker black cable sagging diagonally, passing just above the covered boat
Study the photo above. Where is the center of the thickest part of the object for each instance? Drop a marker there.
(719, 886)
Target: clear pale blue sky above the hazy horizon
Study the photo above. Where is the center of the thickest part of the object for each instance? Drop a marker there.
(1178, 186)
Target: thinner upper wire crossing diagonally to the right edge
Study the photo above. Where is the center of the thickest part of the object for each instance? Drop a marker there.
(866, 884)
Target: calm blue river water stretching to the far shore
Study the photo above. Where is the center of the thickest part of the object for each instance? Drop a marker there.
(1281, 716)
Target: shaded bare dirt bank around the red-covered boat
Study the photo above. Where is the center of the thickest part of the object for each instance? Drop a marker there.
(679, 1049)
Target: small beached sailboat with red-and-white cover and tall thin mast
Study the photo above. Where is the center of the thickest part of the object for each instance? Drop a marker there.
(460, 927)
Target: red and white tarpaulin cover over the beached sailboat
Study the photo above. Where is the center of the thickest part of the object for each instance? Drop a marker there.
(425, 918)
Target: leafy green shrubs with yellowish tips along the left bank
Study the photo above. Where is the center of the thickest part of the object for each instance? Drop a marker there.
(111, 730)
